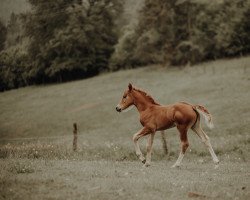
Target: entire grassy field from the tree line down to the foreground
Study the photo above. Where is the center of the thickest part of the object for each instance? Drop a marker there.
(37, 161)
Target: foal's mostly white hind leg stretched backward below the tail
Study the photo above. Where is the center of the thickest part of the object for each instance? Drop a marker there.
(205, 139)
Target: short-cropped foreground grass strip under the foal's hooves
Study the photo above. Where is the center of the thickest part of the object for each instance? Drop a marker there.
(106, 180)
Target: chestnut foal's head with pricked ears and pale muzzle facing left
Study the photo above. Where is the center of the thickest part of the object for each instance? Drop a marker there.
(127, 99)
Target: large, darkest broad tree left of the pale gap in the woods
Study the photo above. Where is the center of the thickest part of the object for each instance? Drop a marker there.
(74, 42)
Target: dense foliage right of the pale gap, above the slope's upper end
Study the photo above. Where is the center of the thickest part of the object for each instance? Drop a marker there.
(185, 32)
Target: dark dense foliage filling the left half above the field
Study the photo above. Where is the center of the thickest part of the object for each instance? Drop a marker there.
(67, 39)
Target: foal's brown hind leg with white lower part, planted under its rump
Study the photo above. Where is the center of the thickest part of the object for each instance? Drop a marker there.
(184, 144)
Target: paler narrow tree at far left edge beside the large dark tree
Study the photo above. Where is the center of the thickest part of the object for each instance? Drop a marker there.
(13, 58)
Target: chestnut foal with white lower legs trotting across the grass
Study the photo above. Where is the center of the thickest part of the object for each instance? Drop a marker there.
(155, 117)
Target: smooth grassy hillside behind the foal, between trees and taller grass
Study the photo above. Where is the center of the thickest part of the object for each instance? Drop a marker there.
(49, 111)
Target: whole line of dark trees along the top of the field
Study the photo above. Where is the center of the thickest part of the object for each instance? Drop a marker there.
(63, 40)
